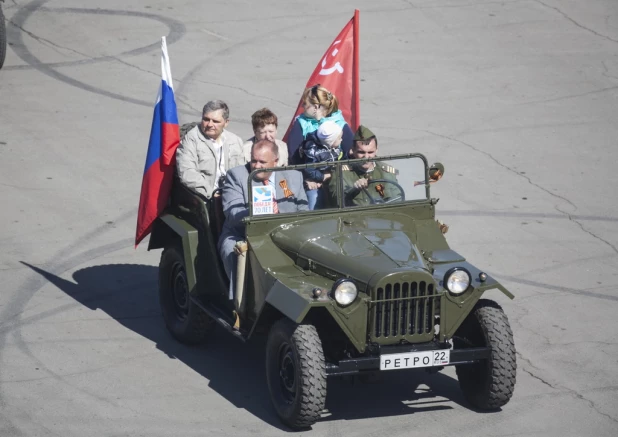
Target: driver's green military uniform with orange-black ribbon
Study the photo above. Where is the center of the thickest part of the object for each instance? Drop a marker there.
(378, 191)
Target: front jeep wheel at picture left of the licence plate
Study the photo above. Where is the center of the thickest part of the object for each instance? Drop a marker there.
(296, 373)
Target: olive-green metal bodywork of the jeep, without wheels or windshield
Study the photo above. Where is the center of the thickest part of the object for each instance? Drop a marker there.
(395, 254)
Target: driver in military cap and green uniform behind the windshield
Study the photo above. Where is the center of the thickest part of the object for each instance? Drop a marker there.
(357, 187)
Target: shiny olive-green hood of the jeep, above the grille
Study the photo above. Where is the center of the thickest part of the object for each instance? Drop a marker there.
(358, 248)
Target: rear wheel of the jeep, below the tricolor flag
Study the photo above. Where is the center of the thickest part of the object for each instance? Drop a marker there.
(185, 320)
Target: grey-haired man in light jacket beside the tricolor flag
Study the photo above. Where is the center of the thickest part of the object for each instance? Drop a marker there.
(208, 151)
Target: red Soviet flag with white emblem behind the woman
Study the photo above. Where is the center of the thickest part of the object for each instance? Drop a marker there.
(337, 71)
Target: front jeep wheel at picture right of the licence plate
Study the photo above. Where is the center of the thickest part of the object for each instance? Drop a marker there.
(488, 384)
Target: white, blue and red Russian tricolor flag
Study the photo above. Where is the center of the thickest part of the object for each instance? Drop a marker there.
(161, 157)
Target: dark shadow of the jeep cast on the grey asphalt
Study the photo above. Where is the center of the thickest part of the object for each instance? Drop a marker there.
(128, 294)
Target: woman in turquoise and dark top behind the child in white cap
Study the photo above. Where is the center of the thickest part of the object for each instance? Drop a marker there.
(320, 105)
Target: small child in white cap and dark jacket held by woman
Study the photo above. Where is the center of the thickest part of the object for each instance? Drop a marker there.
(323, 145)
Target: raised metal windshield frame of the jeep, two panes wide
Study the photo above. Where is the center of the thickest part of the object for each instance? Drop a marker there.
(337, 165)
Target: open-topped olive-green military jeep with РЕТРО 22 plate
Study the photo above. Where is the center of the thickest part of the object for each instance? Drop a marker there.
(367, 284)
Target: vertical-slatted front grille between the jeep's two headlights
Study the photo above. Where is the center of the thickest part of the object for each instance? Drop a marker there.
(403, 310)
